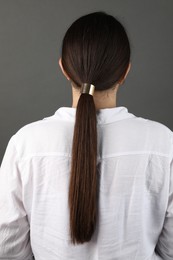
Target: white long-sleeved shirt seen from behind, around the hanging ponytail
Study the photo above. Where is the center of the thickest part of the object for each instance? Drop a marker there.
(135, 160)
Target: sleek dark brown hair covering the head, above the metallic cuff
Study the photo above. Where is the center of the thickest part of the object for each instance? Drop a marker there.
(96, 50)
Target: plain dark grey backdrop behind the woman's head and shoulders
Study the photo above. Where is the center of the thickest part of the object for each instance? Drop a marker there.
(31, 84)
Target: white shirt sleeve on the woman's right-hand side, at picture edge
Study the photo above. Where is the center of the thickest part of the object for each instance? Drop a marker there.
(164, 246)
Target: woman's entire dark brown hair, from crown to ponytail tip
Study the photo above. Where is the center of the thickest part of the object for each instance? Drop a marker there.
(95, 50)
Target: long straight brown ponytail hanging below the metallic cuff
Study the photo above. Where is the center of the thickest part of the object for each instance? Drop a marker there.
(83, 179)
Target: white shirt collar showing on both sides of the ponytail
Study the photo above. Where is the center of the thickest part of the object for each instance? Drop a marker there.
(104, 116)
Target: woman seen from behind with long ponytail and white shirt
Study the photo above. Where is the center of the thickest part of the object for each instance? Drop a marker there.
(93, 181)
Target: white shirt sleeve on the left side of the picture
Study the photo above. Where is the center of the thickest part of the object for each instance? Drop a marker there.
(14, 227)
